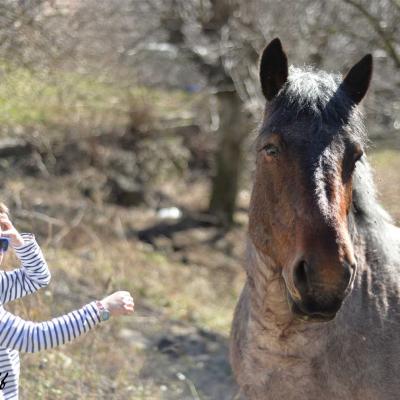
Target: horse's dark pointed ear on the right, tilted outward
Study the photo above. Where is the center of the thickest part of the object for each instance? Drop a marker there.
(357, 80)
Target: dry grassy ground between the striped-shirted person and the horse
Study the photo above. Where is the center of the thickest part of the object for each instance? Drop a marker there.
(185, 287)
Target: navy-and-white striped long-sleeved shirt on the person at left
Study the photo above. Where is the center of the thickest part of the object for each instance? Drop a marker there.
(17, 334)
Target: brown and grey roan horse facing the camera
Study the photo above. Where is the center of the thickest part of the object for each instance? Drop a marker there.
(319, 313)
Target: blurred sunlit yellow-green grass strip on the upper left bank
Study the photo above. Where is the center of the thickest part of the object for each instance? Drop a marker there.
(59, 97)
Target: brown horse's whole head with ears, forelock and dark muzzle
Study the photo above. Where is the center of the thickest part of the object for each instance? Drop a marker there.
(310, 141)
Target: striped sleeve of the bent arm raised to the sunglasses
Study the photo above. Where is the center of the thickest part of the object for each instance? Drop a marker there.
(31, 276)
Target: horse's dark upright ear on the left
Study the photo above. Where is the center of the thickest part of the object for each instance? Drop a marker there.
(273, 69)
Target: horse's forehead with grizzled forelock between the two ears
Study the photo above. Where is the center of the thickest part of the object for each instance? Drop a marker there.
(310, 108)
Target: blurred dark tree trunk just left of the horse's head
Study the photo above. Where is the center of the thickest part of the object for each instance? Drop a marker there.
(228, 158)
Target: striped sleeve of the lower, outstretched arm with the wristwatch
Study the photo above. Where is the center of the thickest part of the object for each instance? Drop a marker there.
(31, 337)
